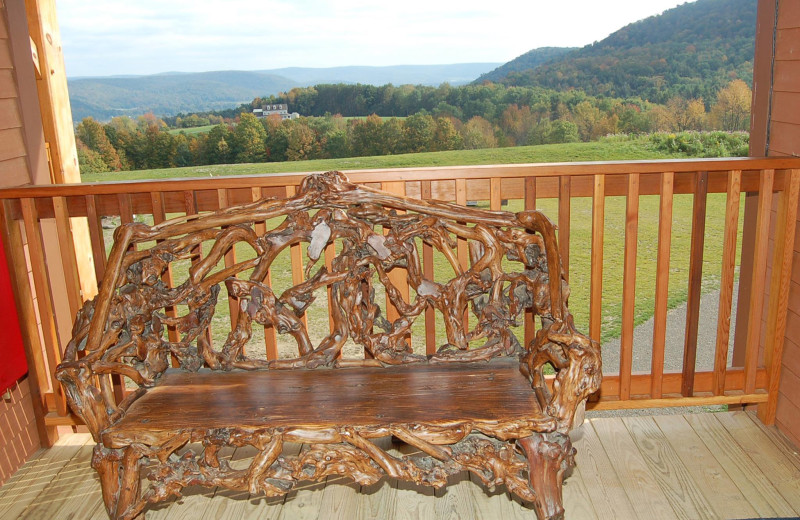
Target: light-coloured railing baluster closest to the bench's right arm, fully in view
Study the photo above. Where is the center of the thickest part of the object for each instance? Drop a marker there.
(596, 281)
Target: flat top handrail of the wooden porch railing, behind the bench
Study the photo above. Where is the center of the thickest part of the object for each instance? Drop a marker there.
(432, 173)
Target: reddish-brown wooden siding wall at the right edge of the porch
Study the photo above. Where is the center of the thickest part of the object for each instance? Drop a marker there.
(777, 96)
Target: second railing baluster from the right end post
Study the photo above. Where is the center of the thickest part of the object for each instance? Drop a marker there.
(727, 280)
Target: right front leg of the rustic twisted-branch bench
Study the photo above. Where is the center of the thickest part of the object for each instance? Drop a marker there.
(549, 456)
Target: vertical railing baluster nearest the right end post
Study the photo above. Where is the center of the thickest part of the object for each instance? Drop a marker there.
(758, 279)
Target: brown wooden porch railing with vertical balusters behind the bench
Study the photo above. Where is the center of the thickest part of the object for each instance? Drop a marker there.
(29, 211)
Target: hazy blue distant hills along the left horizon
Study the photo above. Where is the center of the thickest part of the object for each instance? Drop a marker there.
(175, 92)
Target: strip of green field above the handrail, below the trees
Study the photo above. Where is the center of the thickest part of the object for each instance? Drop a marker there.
(604, 150)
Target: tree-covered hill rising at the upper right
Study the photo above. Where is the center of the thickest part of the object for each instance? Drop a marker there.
(691, 50)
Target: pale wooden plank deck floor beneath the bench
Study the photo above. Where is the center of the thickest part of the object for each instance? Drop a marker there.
(713, 465)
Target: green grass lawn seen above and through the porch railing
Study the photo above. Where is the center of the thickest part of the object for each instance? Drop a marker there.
(580, 243)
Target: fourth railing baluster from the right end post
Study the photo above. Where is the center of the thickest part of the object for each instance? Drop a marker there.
(662, 282)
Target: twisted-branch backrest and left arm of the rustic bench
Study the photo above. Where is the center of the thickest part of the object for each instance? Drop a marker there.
(358, 243)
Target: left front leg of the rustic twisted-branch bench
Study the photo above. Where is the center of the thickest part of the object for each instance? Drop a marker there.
(119, 480)
